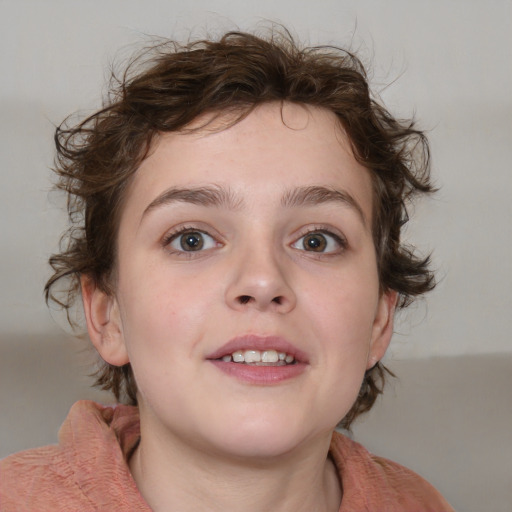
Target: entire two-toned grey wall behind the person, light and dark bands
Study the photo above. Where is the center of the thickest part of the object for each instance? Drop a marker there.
(450, 415)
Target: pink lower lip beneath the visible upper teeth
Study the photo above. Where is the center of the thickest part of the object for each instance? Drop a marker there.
(263, 375)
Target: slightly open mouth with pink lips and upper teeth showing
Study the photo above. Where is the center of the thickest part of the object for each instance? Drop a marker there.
(260, 359)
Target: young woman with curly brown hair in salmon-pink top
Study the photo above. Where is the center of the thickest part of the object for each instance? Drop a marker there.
(235, 214)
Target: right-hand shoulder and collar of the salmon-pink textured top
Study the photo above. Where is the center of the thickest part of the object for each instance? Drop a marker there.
(377, 484)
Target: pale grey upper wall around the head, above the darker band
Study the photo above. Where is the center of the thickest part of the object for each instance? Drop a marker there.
(447, 62)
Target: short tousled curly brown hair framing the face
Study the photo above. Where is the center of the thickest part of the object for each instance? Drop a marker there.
(167, 88)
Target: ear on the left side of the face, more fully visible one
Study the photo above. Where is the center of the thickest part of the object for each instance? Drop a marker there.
(103, 322)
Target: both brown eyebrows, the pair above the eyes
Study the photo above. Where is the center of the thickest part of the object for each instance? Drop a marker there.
(218, 196)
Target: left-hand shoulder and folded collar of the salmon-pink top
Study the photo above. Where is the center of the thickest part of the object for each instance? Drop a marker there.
(86, 471)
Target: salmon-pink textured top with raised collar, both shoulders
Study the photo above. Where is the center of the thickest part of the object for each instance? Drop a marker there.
(87, 471)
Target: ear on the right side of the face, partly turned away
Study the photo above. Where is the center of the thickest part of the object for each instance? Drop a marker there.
(382, 327)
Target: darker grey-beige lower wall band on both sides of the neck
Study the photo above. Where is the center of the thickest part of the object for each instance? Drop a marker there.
(445, 418)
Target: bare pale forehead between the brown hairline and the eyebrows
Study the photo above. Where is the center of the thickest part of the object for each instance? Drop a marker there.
(273, 150)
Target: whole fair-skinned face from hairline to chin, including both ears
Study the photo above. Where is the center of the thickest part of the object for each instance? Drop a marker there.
(247, 296)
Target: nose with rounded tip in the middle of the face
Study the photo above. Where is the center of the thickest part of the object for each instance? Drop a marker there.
(258, 281)
